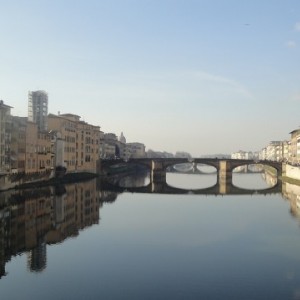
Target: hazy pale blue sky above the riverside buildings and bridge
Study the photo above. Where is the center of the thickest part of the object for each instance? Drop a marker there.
(201, 76)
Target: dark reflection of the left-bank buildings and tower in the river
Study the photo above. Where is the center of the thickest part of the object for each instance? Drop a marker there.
(29, 220)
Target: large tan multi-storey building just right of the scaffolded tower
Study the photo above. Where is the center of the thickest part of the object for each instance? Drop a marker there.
(81, 142)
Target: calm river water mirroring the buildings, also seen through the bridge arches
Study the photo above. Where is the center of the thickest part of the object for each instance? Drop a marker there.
(81, 242)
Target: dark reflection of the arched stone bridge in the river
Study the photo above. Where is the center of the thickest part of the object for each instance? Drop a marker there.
(164, 188)
